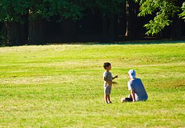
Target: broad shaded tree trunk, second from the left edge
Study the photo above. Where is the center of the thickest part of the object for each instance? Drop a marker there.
(35, 34)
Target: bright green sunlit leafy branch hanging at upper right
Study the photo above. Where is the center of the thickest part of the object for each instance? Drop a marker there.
(165, 10)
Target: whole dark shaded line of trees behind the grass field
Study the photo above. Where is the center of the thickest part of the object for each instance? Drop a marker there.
(41, 21)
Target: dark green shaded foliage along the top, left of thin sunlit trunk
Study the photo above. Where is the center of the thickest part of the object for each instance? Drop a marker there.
(14, 10)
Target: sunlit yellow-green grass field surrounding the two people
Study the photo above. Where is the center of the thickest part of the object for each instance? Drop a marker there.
(61, 86)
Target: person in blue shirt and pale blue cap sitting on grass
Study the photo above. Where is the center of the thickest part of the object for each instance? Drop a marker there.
(136, 88)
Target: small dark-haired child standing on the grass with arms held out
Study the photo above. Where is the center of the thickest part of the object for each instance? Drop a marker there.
(107, 77)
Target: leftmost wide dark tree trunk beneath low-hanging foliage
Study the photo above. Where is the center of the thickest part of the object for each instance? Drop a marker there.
(15, 33)
